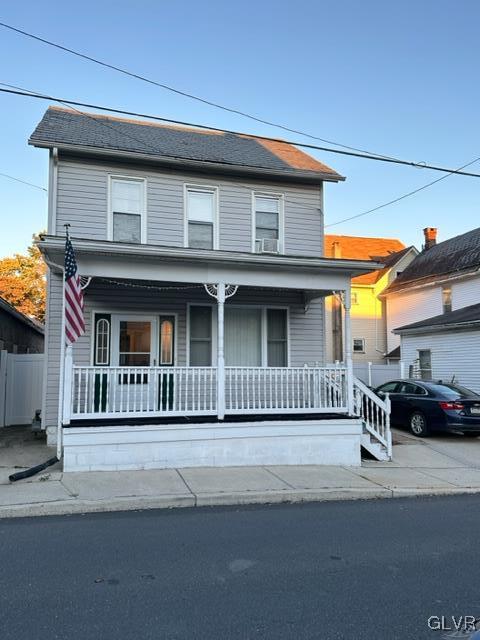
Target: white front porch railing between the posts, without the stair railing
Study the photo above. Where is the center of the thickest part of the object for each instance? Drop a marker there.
(106, 392)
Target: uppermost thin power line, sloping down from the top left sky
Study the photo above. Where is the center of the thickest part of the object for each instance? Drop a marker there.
(180, 92)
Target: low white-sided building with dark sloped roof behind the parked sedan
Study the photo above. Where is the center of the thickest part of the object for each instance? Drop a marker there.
(445, 347)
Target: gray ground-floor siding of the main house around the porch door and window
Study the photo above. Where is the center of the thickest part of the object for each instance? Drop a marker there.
(306, 343)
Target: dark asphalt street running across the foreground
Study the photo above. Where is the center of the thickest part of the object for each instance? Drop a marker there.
(363, 570)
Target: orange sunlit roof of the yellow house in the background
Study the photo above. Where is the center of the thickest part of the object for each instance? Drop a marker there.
(387, 251)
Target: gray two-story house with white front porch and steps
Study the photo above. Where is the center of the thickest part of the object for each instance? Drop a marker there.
(201, 256)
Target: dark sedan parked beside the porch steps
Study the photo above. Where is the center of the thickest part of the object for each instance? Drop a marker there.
(428, 405)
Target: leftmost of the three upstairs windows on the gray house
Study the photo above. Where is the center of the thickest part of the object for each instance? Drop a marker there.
(127, 210)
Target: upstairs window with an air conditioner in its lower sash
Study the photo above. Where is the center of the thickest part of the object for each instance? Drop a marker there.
(267, 213)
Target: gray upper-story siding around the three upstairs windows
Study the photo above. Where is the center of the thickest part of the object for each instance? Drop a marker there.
(82, 201)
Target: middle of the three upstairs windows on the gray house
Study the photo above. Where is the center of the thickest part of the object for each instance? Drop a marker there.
(201, 214)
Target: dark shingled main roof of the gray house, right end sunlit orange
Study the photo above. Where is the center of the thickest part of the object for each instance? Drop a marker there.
(61, 127)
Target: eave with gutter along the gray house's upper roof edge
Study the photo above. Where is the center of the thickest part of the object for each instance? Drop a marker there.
(296, 175)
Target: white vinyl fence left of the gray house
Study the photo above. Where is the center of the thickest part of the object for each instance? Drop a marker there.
(21, 382)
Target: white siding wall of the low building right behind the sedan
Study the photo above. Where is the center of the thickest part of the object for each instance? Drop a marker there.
(453, 354)
